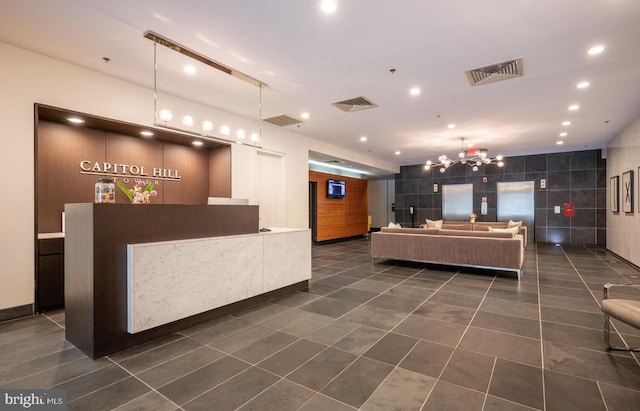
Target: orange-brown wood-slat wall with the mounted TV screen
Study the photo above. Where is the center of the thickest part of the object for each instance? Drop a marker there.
(340, 218)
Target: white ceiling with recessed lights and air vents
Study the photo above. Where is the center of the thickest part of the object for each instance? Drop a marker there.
(310, 60)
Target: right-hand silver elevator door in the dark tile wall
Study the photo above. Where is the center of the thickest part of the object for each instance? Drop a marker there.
(516, 202)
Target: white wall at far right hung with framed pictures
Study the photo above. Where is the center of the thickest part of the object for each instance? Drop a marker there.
(623, 229)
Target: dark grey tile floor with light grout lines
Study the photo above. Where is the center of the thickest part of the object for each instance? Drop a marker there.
(388, 335)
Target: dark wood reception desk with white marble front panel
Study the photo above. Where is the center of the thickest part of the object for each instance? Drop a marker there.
(134, 273)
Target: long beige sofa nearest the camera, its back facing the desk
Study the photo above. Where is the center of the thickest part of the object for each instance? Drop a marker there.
(468, 248)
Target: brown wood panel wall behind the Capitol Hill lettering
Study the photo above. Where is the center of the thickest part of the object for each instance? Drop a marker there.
(60, 148)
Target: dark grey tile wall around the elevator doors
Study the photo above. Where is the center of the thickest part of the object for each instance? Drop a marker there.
(577, 177)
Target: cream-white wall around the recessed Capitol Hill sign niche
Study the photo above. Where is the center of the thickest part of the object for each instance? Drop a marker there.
(27, 78)
